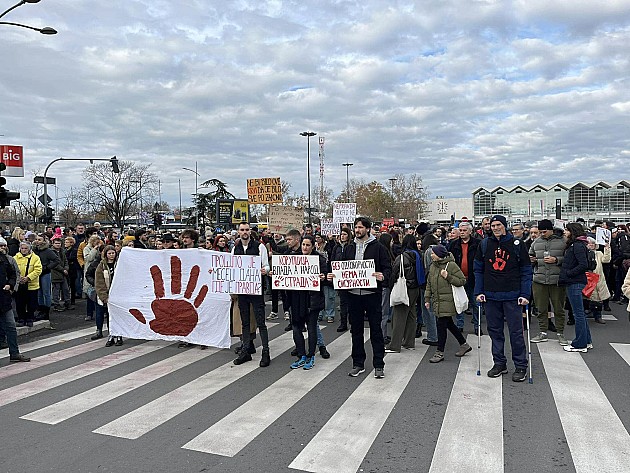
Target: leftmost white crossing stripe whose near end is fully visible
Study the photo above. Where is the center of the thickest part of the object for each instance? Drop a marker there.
(75, 405)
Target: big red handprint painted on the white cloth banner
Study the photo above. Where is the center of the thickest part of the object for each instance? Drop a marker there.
(173, 316)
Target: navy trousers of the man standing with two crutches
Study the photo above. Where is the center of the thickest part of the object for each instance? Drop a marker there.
(497, 313)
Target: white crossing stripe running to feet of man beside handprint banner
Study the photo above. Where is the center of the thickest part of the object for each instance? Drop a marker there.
(151, 415)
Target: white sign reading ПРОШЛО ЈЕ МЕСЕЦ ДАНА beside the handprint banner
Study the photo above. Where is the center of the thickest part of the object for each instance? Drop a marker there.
(234, 274)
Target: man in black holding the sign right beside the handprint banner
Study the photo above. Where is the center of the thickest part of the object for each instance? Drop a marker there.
(246, 246)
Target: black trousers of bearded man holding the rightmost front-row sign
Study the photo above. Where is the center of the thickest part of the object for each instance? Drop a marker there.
(369, 305)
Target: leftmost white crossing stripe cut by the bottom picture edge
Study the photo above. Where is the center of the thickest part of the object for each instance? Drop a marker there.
(341, 445)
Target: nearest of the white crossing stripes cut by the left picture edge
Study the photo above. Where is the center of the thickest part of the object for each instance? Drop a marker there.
(54, 380)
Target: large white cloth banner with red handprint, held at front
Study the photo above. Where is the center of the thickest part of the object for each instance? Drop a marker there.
(168, 295)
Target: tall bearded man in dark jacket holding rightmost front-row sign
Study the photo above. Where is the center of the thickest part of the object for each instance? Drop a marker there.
(366, 301)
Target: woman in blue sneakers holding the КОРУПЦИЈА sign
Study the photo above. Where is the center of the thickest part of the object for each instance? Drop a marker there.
(305, 307)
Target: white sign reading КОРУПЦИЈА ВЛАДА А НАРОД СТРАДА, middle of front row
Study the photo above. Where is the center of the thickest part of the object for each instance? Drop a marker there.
(295, 272)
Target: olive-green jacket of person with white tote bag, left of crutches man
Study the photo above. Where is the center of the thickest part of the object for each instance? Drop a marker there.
(439, 292)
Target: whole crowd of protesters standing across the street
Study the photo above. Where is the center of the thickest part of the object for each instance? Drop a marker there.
(508, 270)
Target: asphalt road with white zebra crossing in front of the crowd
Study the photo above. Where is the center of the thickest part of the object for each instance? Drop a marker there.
(149, 406)
